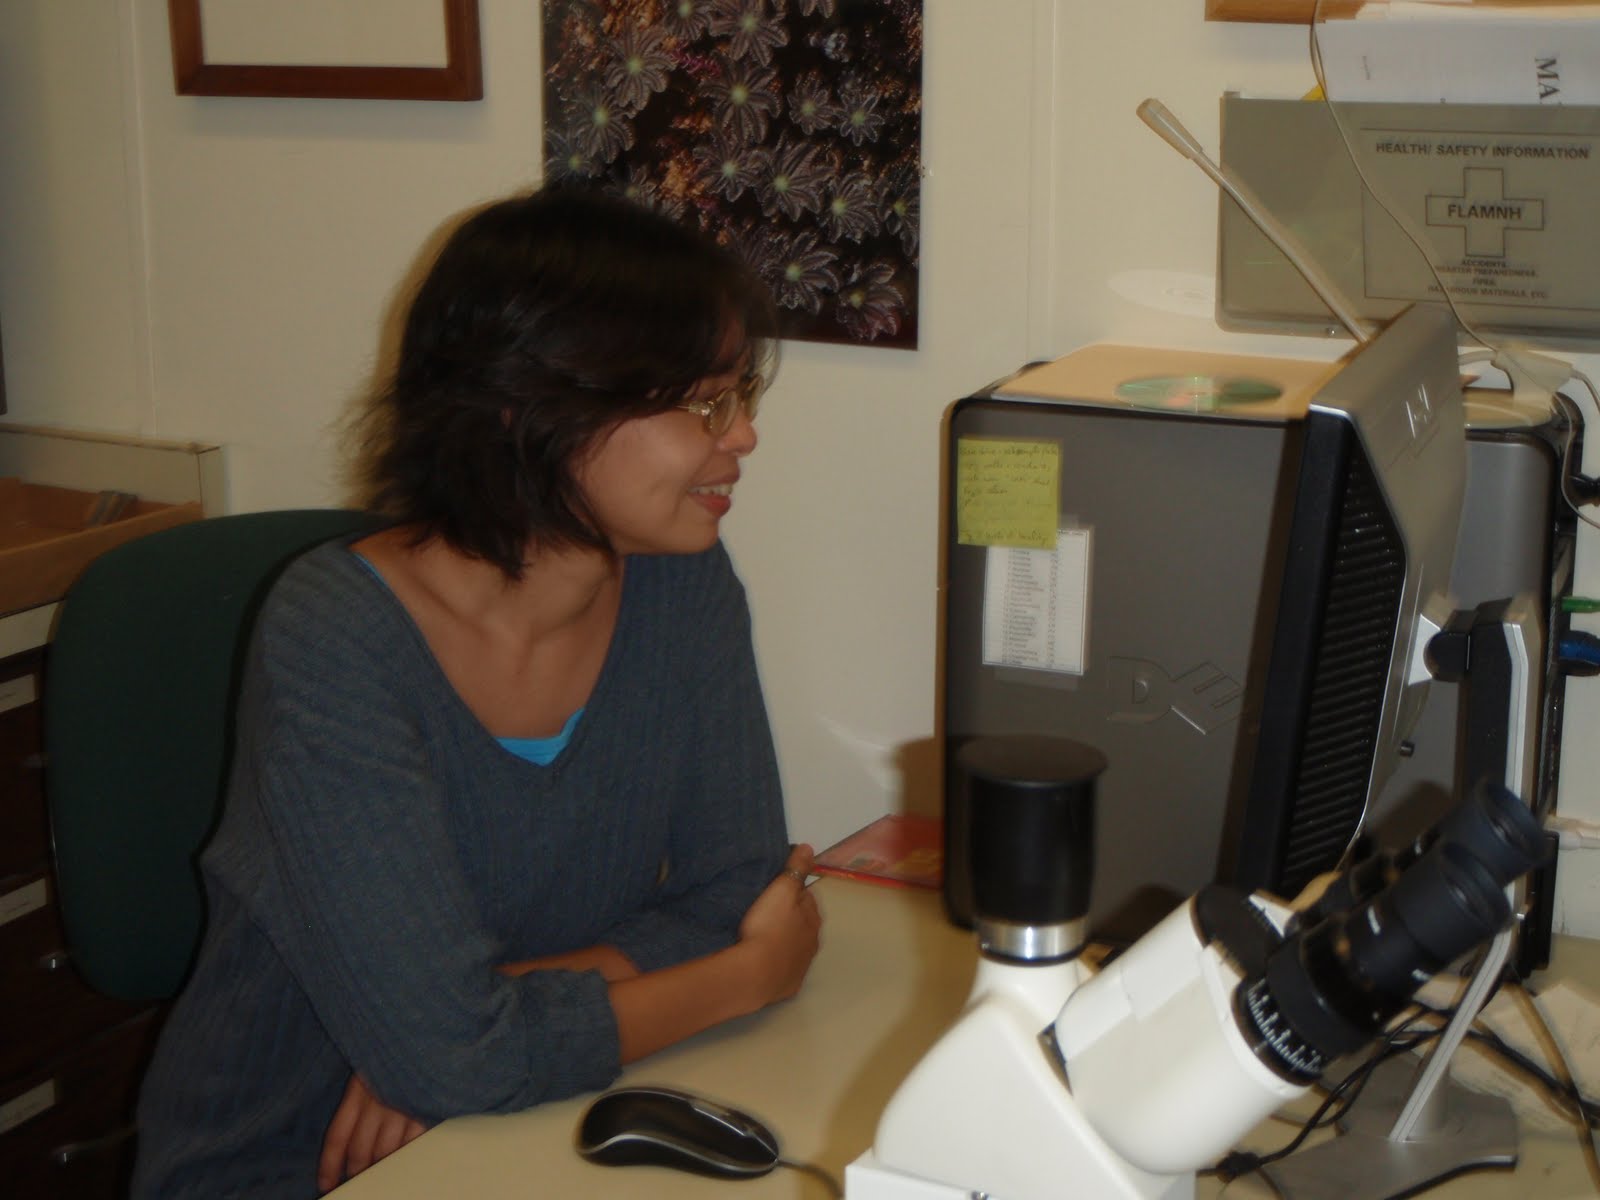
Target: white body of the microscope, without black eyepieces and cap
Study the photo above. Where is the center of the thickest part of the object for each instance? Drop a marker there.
(1047, 1082)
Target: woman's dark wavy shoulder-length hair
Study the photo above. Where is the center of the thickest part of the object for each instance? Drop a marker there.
(546, 321)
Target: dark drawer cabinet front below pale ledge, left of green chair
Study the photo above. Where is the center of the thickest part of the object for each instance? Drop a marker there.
(70, 1057)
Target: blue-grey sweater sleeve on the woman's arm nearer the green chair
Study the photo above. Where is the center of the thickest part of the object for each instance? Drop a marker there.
(343, 855)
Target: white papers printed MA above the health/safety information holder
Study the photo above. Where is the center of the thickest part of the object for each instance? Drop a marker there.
(1462, 54)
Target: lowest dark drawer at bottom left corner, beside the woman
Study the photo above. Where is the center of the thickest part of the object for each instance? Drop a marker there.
(73, 1122)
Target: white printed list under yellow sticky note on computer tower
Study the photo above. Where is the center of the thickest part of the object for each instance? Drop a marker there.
(1036, 606)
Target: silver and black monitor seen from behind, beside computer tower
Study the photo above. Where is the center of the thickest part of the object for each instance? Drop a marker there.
(1372, 540)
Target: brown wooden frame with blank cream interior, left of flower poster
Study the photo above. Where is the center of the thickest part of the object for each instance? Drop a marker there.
(351, 50)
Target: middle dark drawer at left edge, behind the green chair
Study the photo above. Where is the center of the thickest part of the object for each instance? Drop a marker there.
(46, 1009)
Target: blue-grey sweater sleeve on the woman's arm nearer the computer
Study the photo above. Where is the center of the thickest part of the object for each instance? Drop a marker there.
(729, 838)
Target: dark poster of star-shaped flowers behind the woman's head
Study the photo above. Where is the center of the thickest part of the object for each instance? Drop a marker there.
(788, 129)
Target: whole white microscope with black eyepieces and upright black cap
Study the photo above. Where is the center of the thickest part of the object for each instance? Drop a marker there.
(1122, 1084)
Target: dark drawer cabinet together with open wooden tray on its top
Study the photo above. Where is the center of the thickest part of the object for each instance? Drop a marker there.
(71, 1058)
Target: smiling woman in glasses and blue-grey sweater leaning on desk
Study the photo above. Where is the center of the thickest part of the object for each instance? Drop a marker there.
(505, 810)
